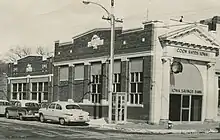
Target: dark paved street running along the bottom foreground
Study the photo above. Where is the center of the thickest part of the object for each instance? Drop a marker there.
(12, 129)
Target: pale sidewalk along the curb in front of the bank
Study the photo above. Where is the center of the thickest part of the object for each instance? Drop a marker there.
(157, 129)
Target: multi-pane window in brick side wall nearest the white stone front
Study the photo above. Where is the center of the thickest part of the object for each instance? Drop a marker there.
(136, 87)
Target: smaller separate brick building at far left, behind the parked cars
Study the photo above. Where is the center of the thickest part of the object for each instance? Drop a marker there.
(30, 79)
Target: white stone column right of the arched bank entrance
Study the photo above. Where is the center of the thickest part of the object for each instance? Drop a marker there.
(211, 96)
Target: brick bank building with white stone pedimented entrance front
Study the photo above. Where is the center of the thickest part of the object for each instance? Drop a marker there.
(161, 73)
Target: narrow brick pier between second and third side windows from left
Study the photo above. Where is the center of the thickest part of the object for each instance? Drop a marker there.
(87, 84)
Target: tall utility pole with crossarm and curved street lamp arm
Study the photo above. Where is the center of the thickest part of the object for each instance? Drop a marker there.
(110, 17)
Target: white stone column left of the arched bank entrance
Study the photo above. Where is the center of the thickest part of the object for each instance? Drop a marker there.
(165, 94)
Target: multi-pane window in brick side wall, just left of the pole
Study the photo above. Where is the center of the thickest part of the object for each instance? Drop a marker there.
(96, 89)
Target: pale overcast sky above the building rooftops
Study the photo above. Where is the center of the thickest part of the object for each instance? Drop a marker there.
(33, 23)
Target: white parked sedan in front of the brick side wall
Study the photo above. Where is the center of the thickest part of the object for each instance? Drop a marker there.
(63, 112)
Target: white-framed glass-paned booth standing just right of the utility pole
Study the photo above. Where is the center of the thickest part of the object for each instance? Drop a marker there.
(119, 107)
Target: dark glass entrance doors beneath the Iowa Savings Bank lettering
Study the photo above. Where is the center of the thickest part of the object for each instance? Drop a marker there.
(185, 107)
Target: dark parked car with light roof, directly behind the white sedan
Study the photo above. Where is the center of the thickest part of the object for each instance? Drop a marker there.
(23, 109)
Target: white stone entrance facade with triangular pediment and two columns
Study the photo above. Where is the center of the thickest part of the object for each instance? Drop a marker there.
(195, 48)
